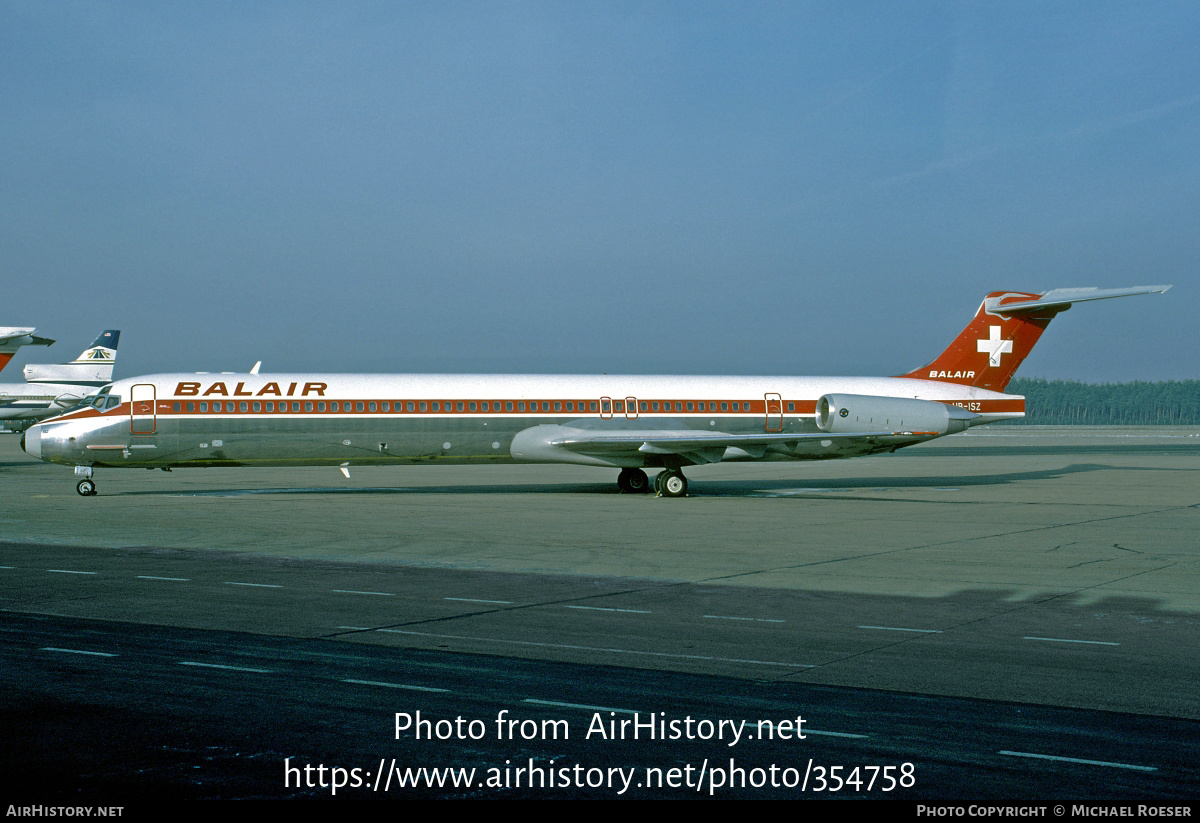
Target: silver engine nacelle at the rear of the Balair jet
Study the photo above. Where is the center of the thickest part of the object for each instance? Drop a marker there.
(868, 413)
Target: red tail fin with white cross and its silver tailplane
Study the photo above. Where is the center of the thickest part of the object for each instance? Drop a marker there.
(1004, 332)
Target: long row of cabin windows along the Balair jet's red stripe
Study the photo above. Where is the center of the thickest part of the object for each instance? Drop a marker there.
(470, 406)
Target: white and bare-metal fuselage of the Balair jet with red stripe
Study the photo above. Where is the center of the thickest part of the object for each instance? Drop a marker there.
(172, 420)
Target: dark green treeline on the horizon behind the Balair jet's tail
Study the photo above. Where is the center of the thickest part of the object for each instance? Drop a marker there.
(1141, 404)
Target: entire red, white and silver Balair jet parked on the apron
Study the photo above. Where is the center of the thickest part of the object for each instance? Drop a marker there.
(631, 423)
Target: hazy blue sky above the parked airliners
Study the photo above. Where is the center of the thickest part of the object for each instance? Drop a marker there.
(651, 188)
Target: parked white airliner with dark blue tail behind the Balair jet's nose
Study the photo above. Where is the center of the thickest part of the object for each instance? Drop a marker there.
(53, 388)
